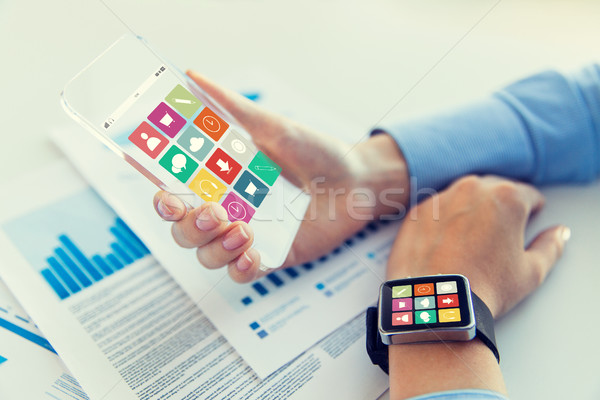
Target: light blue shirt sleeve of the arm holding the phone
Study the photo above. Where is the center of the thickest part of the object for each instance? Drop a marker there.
(544, 129)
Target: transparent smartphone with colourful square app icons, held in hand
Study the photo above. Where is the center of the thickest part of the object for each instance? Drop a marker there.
(170, 130)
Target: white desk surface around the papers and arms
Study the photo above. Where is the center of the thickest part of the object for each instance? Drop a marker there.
(357, 59)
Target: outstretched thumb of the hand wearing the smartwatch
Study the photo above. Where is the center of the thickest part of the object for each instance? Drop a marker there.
(543, 252)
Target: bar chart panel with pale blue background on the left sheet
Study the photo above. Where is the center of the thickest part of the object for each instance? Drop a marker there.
(74, 248)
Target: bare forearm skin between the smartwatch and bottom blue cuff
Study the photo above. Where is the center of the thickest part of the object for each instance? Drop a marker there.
(417, 369)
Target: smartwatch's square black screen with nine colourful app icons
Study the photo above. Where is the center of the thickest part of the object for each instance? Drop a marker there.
(425, 303)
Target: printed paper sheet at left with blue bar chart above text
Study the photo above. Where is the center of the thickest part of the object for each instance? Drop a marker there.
(125, 328)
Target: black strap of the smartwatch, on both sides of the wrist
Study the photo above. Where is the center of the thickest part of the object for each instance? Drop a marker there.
(378, 351)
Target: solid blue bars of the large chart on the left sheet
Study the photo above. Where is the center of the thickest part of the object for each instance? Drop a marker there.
(70, 269)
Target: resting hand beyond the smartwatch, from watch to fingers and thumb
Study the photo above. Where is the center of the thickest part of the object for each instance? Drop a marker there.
(477, 228)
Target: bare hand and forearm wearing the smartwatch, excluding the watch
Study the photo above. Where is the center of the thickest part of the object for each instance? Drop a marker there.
(474, 228)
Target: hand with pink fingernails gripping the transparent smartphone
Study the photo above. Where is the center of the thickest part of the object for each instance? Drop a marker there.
(326, 168)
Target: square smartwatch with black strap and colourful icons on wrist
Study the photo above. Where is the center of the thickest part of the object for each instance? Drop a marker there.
(427, 309)
